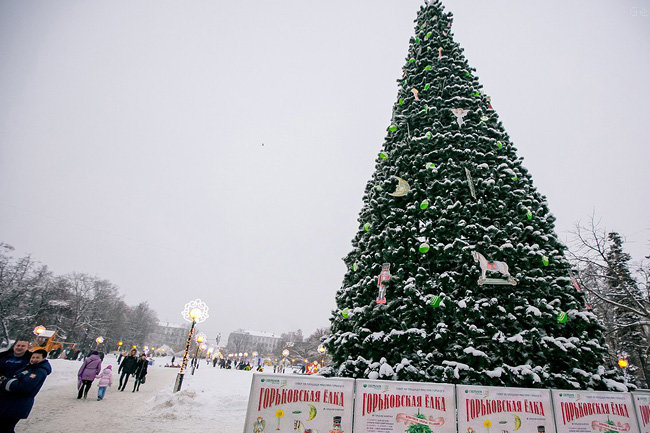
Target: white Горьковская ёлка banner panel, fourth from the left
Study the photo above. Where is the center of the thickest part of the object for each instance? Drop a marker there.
(594, 412)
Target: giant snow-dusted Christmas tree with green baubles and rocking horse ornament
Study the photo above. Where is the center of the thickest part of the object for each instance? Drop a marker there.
(456, 273)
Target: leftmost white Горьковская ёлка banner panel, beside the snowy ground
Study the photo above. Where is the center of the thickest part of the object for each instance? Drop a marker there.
(293, 403)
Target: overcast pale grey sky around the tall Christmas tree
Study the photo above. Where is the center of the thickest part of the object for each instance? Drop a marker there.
(219, 149)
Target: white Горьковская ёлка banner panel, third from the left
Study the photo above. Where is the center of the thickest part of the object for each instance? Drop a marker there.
(488, 409)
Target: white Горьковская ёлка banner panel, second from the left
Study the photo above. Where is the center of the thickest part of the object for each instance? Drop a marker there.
(389, 406)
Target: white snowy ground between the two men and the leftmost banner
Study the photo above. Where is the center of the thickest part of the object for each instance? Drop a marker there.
(212, 400)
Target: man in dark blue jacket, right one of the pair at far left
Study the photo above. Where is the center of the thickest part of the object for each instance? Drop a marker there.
(18, 391)
